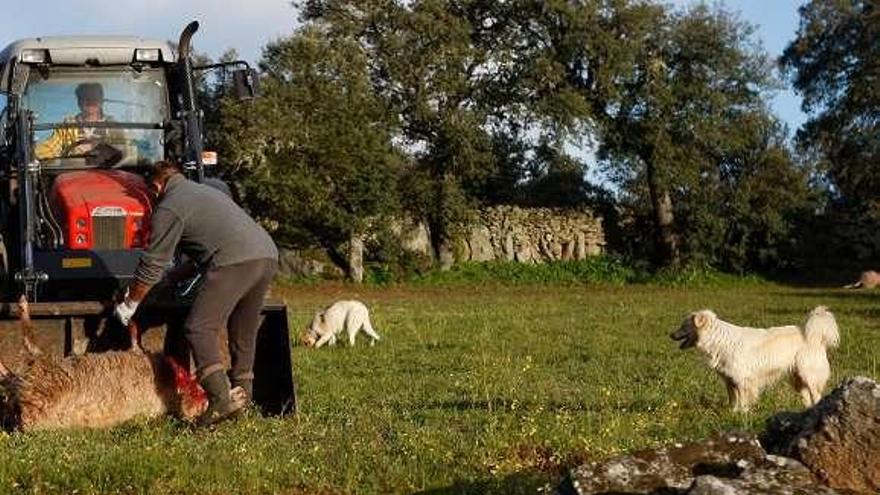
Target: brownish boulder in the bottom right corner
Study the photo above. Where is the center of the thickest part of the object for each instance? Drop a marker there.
(838, 439)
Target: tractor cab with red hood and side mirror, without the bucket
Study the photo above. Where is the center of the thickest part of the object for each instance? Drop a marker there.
(85, 119)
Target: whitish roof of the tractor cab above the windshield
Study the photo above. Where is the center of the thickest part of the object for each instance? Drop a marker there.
(82, 50)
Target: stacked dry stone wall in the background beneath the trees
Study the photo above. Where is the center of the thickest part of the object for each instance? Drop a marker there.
(528, 235)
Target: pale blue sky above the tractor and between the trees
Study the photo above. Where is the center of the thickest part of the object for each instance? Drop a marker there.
(248, 25)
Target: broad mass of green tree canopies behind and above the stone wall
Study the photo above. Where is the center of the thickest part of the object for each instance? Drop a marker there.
(430, 108)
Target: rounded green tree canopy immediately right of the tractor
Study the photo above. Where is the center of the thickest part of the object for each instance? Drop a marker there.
(314, 153)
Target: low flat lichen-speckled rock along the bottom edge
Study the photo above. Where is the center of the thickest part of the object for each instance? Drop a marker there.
(731, 464)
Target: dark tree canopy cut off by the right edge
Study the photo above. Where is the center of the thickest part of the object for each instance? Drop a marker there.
(834, 63)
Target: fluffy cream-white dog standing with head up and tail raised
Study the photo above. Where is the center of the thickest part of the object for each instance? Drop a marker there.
(748, 359)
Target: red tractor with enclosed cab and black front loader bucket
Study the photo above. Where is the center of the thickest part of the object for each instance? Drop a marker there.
(74, 204)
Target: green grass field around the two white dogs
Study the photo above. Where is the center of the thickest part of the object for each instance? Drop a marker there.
(474, 389)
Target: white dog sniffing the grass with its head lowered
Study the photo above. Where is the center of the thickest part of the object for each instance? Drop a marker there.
(350, 316)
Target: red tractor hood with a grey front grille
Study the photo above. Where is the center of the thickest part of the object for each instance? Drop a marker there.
(102, 209)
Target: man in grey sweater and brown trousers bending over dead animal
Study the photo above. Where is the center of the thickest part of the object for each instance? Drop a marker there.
(239, 258)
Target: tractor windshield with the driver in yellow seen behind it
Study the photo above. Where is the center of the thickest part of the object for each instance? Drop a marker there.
(97, 117)
